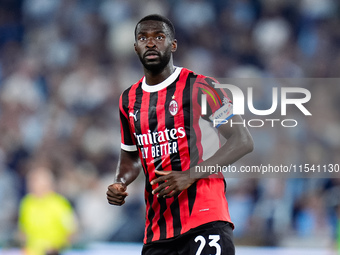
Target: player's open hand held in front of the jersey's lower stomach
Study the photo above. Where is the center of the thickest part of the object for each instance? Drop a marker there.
(174, 183)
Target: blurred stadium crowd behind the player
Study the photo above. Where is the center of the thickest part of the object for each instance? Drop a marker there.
(64, 63)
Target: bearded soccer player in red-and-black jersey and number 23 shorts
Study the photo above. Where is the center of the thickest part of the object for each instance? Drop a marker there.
(164, 133)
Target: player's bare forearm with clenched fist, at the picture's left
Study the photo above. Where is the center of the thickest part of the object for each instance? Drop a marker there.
(127, 171)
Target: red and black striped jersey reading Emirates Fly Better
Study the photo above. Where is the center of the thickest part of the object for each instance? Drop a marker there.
(164, 123)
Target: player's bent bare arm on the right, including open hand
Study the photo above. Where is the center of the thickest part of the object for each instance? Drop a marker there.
(239, 143)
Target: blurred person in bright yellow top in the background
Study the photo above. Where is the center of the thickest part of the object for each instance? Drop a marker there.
(46, 218)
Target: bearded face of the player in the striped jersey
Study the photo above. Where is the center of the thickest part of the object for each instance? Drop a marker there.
(154, 45)
